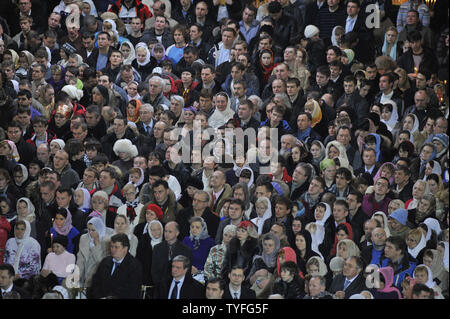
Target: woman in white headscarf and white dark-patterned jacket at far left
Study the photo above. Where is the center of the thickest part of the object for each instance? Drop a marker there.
(23, 251)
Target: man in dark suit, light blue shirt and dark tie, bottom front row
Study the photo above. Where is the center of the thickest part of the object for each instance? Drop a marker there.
(181, 285)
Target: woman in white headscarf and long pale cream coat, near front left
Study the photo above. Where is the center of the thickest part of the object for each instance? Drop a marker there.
(94, 246)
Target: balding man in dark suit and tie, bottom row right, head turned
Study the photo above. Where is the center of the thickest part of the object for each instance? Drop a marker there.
(351, 281)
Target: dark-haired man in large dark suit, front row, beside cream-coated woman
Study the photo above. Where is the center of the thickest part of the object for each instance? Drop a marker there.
(118, 275)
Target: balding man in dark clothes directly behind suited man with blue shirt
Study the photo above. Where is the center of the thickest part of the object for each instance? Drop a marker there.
(165, 252)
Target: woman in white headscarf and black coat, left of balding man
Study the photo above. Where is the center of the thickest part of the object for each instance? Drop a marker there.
(152, 236)
